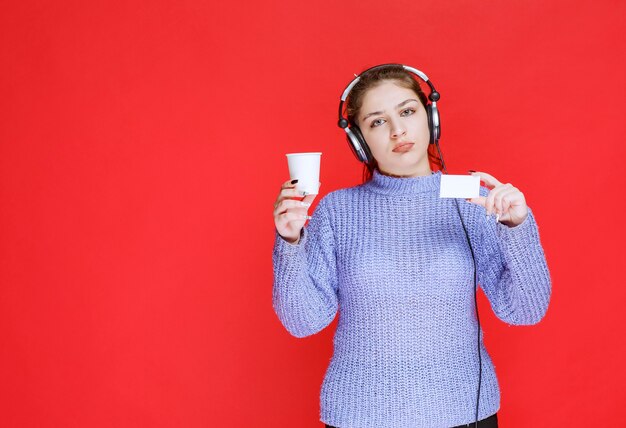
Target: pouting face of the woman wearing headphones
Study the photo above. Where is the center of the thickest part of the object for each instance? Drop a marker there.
(395, 126)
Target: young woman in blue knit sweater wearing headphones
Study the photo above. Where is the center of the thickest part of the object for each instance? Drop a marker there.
(394, 259)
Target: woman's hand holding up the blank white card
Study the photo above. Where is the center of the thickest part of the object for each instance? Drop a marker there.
(503, 200)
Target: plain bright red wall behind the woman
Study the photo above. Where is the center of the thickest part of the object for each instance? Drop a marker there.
(141, 149)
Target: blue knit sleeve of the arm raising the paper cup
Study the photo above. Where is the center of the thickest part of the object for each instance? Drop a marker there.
(304, 293)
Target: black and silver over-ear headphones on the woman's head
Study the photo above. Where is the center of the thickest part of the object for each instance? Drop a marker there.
(353, 133)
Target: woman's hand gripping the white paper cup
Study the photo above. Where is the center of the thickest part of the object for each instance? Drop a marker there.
(291, 212)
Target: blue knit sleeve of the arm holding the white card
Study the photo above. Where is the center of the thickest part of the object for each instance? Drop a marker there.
(512, 270)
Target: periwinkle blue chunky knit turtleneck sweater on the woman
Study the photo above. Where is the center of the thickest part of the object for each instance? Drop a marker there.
(393, 259)
